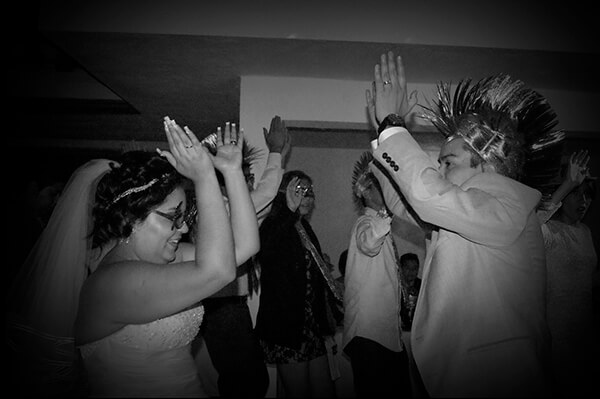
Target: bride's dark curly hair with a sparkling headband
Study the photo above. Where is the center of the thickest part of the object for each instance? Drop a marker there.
(146, 179)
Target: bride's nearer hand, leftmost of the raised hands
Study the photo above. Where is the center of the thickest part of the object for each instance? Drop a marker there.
(186, 154)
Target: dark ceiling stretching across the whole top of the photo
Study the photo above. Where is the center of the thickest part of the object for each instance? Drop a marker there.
(93, 73)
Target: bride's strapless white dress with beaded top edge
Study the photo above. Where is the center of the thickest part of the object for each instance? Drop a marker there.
(152, 359)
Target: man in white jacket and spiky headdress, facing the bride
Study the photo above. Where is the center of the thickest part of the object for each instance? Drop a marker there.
(479, 328)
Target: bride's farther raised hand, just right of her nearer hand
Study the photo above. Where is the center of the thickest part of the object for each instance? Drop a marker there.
(229, 148)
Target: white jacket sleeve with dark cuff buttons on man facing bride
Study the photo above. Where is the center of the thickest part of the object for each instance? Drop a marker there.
(490, 212)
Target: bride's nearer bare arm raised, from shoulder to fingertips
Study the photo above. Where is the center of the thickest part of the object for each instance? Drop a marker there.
(126, 290)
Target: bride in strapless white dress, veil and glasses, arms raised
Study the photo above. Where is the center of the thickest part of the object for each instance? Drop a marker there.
(119, 285)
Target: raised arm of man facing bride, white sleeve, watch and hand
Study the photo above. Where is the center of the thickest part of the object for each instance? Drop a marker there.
(491, 212)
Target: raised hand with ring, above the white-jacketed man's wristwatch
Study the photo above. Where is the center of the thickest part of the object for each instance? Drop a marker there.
(389, 95)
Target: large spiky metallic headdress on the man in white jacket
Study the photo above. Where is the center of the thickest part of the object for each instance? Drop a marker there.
(506, 124)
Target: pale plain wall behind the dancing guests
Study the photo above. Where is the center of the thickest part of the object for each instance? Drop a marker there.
(343, 101)
